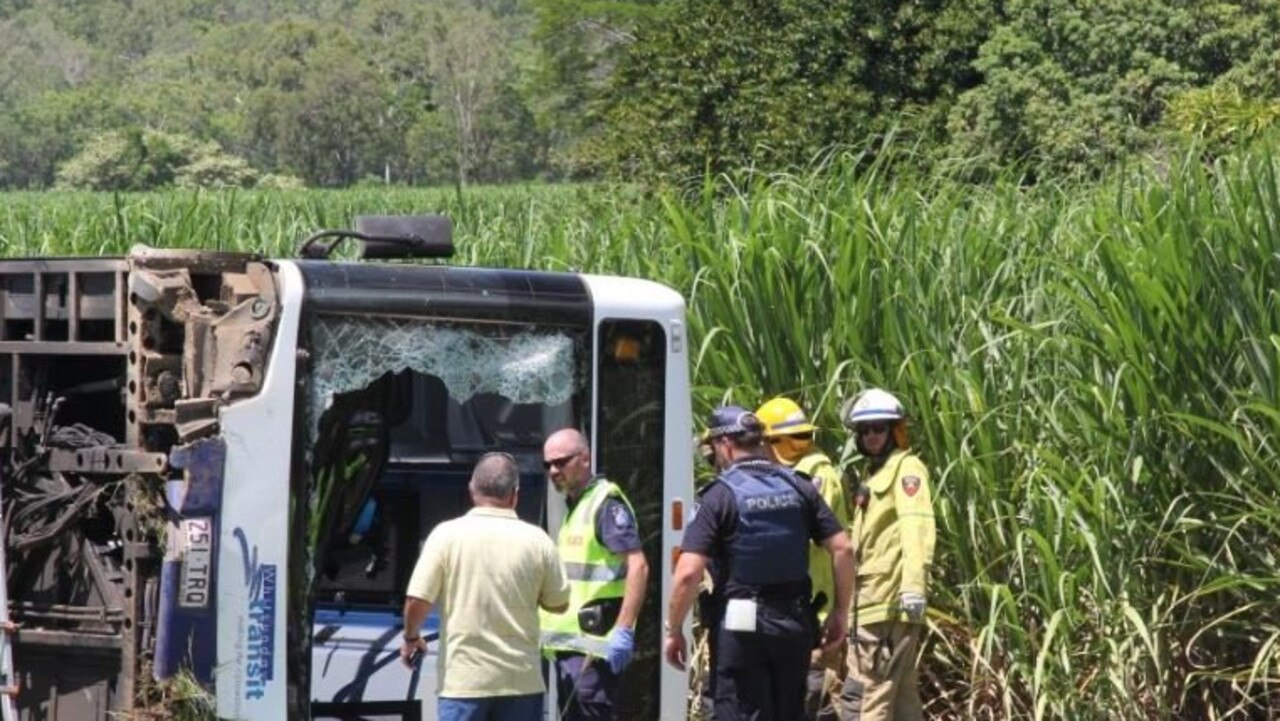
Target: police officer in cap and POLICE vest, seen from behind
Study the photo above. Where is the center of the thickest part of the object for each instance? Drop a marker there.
(752, 530)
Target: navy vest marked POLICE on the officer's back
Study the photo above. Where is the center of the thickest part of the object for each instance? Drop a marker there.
(772, 541)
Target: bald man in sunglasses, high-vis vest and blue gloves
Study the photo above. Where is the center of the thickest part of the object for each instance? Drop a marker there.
(600, 544)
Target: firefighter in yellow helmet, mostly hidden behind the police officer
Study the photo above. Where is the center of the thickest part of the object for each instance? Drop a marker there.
(792, 444)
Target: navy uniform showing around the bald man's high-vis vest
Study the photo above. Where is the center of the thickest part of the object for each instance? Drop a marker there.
(587, 688)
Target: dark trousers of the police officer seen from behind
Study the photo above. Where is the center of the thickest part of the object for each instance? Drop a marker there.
(761, 677)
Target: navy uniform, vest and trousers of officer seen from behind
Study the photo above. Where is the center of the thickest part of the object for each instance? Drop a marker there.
(755, 524)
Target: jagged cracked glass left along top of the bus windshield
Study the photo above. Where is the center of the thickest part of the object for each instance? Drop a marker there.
(479, 366)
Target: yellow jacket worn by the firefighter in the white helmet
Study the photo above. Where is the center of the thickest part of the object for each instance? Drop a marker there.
(894, 539)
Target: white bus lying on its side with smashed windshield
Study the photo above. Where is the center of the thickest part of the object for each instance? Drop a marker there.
(220, 469)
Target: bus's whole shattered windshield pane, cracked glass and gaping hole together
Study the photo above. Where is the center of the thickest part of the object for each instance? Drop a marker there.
(394, 393)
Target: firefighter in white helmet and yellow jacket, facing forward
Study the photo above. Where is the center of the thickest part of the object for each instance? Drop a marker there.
(894, 536)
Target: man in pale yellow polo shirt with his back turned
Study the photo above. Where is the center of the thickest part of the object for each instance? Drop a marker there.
(490, 573)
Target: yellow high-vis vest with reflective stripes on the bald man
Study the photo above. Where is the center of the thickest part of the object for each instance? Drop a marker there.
(593, 572)
